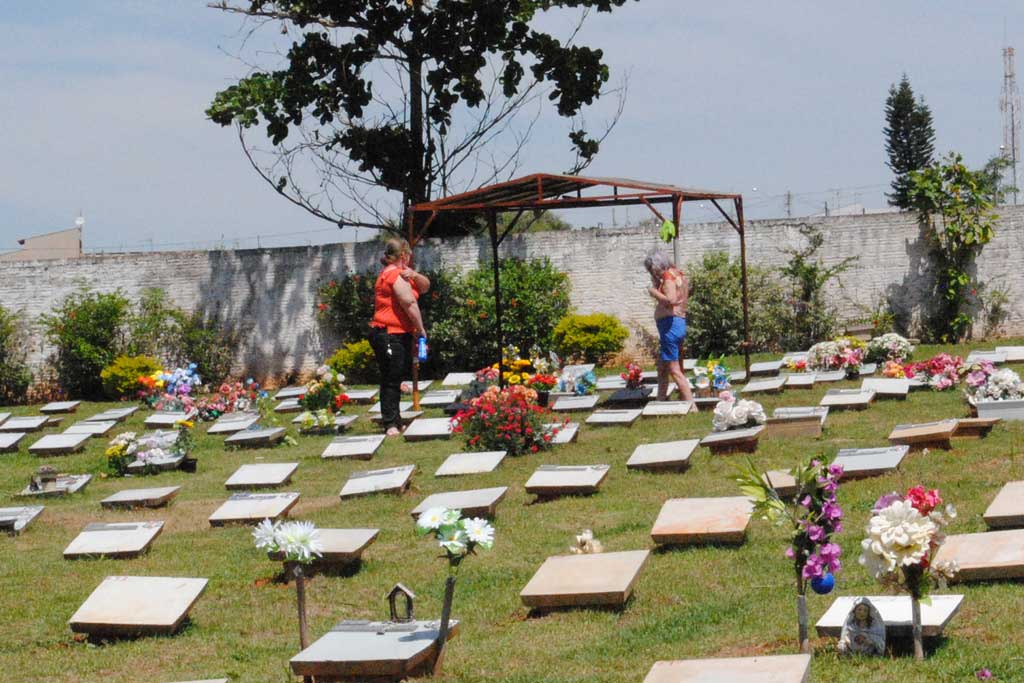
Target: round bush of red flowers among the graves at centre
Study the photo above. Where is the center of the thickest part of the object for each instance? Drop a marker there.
(505, 420)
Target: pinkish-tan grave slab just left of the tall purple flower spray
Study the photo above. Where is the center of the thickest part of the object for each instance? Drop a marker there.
(700, 521)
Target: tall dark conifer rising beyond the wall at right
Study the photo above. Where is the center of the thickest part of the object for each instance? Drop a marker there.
(910, 140)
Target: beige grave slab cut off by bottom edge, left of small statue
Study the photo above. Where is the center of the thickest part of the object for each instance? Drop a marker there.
(767, 669)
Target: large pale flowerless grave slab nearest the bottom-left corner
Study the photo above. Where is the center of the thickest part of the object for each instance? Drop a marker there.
(138, 607)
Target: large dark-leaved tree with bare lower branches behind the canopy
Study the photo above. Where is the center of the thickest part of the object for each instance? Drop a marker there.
(412, 97)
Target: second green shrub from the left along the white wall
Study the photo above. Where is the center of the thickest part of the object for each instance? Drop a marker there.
(88, 333)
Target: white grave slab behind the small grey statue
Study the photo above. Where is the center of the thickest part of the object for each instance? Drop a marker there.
(895, 611)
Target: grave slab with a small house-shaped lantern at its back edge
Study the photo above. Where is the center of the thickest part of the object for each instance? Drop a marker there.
(372, 651)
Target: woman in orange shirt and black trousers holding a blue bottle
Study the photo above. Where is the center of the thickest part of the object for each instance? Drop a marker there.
(397, 324)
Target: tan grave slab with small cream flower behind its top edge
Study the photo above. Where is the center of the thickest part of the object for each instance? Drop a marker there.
(603, 580)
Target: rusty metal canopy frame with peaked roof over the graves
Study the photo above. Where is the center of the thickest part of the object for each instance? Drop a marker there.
(542, 192)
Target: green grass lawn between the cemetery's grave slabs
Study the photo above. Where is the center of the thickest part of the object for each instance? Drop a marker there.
(690, 603)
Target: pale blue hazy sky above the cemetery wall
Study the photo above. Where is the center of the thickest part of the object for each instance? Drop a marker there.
(104, 111)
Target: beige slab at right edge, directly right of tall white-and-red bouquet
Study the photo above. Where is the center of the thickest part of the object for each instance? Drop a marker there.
(988, 557)
